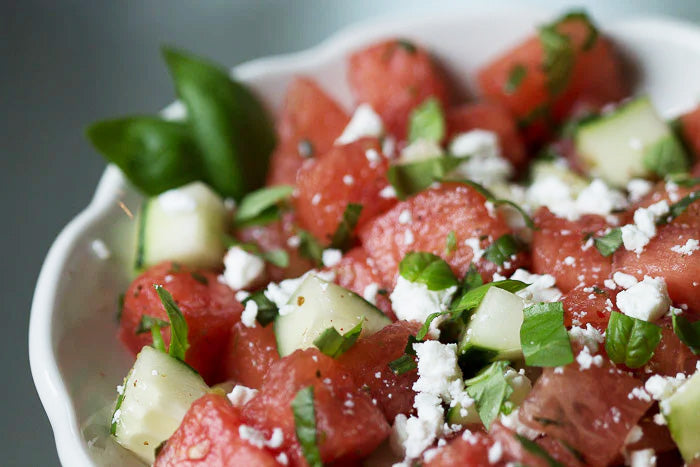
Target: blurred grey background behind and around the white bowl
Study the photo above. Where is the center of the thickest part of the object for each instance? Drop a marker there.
(65, 63)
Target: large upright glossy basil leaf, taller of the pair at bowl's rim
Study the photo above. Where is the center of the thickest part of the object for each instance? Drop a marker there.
(231, 127)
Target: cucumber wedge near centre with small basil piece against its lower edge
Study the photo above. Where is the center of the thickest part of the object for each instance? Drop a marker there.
(317, 305)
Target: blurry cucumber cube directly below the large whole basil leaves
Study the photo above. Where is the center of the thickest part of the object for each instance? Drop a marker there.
(185, 225)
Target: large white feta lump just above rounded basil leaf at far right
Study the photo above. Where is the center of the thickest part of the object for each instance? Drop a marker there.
(646, 300)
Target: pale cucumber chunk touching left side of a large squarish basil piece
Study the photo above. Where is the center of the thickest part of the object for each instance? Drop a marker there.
(495, 325)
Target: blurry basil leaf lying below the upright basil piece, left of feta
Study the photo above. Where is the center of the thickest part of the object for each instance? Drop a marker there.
(411, 178)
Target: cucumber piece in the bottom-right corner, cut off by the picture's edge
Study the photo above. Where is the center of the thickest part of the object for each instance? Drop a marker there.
(681, 411)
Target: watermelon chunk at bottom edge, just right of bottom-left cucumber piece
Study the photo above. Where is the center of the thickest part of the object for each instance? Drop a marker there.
(209, 436)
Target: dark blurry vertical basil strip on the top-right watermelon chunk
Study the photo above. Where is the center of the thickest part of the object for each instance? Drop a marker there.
(558, 58)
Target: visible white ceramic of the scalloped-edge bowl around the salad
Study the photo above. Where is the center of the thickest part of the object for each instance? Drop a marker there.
(75, 357)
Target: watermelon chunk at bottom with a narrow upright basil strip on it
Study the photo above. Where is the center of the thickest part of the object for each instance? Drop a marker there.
(348, 424)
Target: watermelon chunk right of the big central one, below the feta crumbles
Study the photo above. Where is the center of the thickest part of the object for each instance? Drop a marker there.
(560, 248)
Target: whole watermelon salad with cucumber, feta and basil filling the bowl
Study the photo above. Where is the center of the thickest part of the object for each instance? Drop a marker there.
(512, 279)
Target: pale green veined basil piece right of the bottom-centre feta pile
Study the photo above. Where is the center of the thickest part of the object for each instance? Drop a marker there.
(490, 390)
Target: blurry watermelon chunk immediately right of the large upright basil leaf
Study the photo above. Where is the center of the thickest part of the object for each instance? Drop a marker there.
(310, 119)
